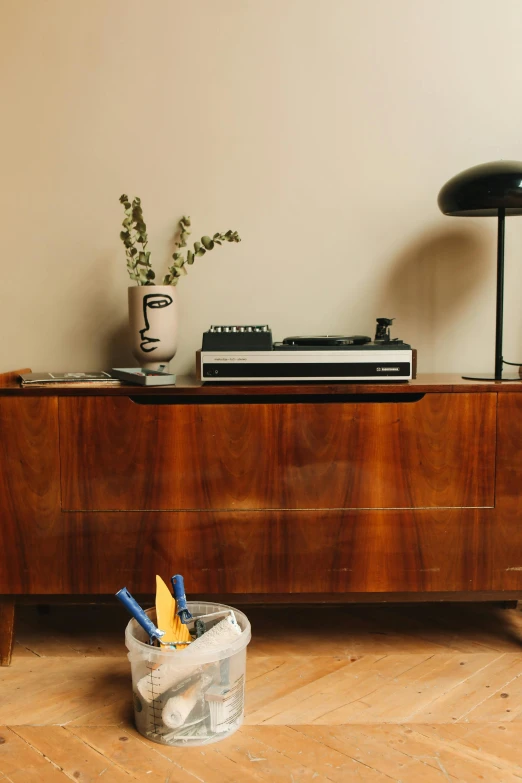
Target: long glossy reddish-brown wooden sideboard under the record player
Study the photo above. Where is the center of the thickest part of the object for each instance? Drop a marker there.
(266, 492)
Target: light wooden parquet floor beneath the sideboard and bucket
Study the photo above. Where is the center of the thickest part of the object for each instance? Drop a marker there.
(405, 694)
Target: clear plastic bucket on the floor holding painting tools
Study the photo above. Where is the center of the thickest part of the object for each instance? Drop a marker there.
(188, 697)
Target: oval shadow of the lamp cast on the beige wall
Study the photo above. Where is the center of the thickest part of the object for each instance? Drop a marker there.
(430, 284)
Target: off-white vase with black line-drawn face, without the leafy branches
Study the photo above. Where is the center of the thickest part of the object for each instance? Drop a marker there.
(153, 322)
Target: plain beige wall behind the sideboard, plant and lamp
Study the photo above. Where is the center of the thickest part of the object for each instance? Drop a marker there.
(322, 130)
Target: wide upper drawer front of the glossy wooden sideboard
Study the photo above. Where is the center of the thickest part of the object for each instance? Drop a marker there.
(437, 451)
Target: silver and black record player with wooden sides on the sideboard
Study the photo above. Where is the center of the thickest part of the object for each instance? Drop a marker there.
(248, 353)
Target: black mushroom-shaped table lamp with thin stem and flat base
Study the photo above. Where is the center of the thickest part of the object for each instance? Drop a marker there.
(489, 190)
